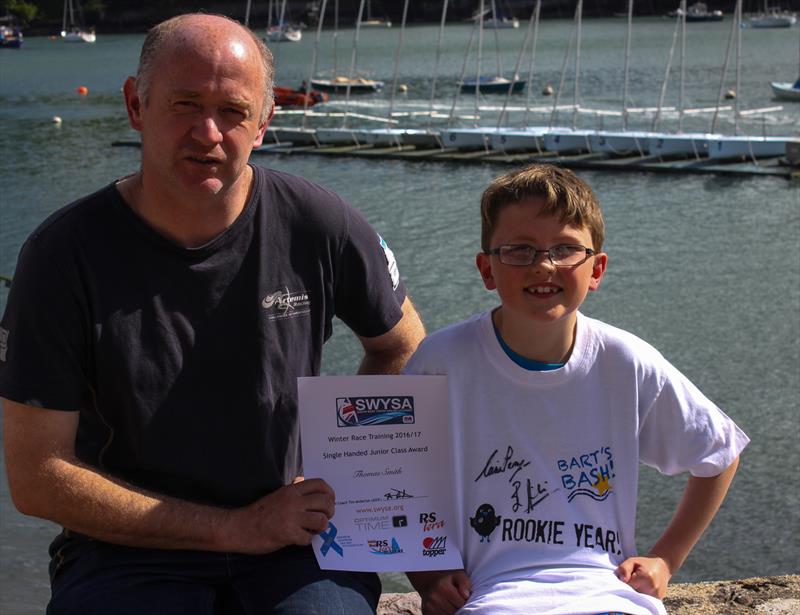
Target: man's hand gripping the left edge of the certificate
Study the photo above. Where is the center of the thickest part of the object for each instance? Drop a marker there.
(292, 515)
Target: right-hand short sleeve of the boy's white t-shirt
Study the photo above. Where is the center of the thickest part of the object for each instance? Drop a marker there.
(683, 430)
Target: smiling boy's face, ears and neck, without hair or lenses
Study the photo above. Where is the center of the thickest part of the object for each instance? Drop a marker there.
(540, 300)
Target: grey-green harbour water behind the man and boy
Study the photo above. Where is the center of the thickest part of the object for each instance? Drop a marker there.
(705, 268)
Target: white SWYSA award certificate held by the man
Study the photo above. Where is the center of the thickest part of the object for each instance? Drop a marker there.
(384, 444)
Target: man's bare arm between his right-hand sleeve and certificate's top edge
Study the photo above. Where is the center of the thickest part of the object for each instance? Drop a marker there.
(388, 353)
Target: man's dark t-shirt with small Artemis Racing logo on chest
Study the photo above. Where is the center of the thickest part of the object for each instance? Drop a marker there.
(183, 362)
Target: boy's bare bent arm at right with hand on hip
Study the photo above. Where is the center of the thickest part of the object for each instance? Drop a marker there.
(701, 500)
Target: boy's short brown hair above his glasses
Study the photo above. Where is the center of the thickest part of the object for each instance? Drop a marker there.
(561, 192)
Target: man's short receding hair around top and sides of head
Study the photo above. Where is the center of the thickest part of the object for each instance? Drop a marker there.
(159, 34)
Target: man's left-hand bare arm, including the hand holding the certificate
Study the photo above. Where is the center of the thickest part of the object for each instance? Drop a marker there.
(47, 480)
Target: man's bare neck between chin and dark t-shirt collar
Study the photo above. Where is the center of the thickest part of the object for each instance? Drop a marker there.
(187, 223)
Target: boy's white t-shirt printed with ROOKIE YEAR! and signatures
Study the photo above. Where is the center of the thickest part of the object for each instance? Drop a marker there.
(546, 463)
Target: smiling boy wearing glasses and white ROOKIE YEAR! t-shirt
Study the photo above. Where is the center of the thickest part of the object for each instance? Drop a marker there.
(553, 412)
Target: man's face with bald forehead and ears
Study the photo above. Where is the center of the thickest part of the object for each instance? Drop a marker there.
(201, 117)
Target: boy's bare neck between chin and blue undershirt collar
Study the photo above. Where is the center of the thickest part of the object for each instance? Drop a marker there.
(546, 343)
